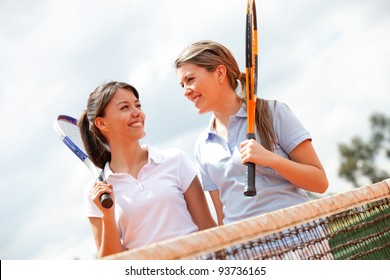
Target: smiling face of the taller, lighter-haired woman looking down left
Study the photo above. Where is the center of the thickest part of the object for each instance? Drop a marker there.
(200, 86)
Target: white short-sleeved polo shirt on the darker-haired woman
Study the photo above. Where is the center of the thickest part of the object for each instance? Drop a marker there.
(151, 208)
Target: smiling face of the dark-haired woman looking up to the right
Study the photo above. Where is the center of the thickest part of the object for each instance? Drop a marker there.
(123, 118)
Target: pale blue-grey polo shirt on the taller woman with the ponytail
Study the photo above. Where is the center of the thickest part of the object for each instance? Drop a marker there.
(221, 169)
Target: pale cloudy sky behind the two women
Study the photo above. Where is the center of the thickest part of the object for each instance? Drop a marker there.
(329, 60)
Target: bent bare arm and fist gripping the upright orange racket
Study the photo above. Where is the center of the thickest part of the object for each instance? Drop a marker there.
(303, 168)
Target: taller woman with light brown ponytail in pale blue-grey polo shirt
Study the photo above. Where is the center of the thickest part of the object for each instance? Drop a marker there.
(286, 163)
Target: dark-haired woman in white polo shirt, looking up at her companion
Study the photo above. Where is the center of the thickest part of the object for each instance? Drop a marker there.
(157, 194)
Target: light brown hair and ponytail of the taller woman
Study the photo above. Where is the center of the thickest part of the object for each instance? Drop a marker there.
(209, 55)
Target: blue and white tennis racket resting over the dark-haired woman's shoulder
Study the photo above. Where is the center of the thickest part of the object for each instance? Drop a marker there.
(66, 127)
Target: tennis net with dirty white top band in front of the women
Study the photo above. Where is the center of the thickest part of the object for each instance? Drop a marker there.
(349, 225)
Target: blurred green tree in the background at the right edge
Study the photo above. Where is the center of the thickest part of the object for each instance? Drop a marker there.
(362, 160)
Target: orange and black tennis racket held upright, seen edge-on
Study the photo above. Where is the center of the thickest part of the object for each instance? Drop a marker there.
(251, 89)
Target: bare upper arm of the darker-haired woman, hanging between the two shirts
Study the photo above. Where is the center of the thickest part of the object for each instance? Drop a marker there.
(197, 205)
